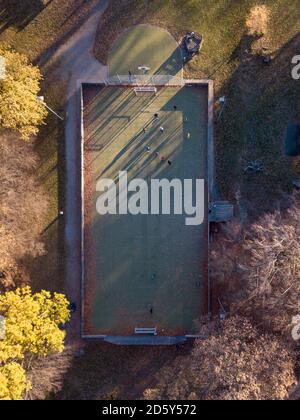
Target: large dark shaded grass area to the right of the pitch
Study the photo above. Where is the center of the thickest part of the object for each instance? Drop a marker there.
(261, 100)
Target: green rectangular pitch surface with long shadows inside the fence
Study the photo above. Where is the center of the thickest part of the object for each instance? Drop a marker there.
(136, 262)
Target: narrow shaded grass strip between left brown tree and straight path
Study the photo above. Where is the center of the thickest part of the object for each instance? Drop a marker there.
(47, 271)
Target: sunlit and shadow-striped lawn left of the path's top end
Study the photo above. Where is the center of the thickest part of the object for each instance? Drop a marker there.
(38, 27)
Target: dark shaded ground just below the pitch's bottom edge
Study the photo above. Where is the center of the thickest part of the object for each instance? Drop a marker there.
(113, 372)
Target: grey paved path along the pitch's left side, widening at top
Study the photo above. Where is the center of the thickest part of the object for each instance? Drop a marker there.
(77, 64)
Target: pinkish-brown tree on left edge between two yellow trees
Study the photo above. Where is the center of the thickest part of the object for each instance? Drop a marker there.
(23, 209)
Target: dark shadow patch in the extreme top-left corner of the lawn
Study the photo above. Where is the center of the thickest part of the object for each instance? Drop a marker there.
(18, 14)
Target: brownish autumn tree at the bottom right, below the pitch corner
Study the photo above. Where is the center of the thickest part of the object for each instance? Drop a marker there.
(235, 362)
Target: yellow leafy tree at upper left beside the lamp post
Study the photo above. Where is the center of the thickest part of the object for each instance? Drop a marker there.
(19, 108)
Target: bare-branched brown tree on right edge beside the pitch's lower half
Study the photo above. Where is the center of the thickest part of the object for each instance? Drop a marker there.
(256, 268)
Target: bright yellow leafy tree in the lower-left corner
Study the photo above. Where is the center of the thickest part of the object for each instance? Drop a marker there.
(31, 329)
